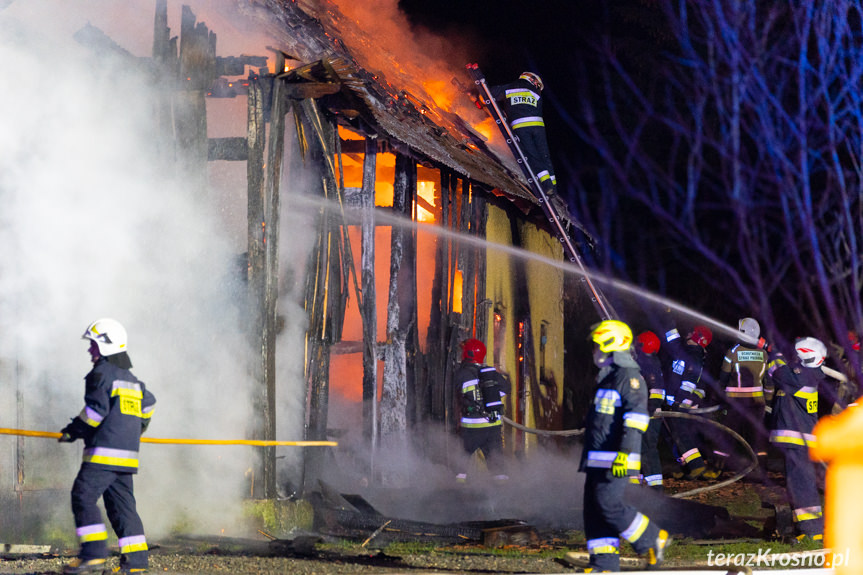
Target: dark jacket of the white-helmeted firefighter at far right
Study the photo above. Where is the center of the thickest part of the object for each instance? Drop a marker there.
(795, 403)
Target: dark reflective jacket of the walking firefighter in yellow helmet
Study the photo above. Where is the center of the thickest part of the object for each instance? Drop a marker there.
(617, 417)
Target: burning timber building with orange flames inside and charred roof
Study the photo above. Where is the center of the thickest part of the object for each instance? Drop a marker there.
(420, 233)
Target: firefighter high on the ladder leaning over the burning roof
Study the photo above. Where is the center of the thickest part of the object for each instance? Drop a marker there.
(523, 109)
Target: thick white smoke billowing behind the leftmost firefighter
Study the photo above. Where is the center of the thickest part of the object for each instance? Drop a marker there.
(91, 225)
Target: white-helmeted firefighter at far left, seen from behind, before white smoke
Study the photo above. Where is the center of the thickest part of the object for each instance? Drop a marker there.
(117, 410)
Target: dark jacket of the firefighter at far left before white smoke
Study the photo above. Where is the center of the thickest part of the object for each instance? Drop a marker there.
(117, 408)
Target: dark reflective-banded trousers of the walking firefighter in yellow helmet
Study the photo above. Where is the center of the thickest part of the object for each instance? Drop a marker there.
(607, 518)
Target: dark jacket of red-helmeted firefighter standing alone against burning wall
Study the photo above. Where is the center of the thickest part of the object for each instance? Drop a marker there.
(482, 389)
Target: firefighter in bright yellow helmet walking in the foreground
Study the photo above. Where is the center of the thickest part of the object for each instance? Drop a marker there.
(612, 441)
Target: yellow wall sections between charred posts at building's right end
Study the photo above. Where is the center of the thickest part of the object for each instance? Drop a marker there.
(545, 297)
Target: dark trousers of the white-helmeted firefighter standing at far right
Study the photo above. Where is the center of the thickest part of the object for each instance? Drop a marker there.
(803, 491)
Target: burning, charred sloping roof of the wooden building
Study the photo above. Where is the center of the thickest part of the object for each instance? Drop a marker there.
(386, 103)
